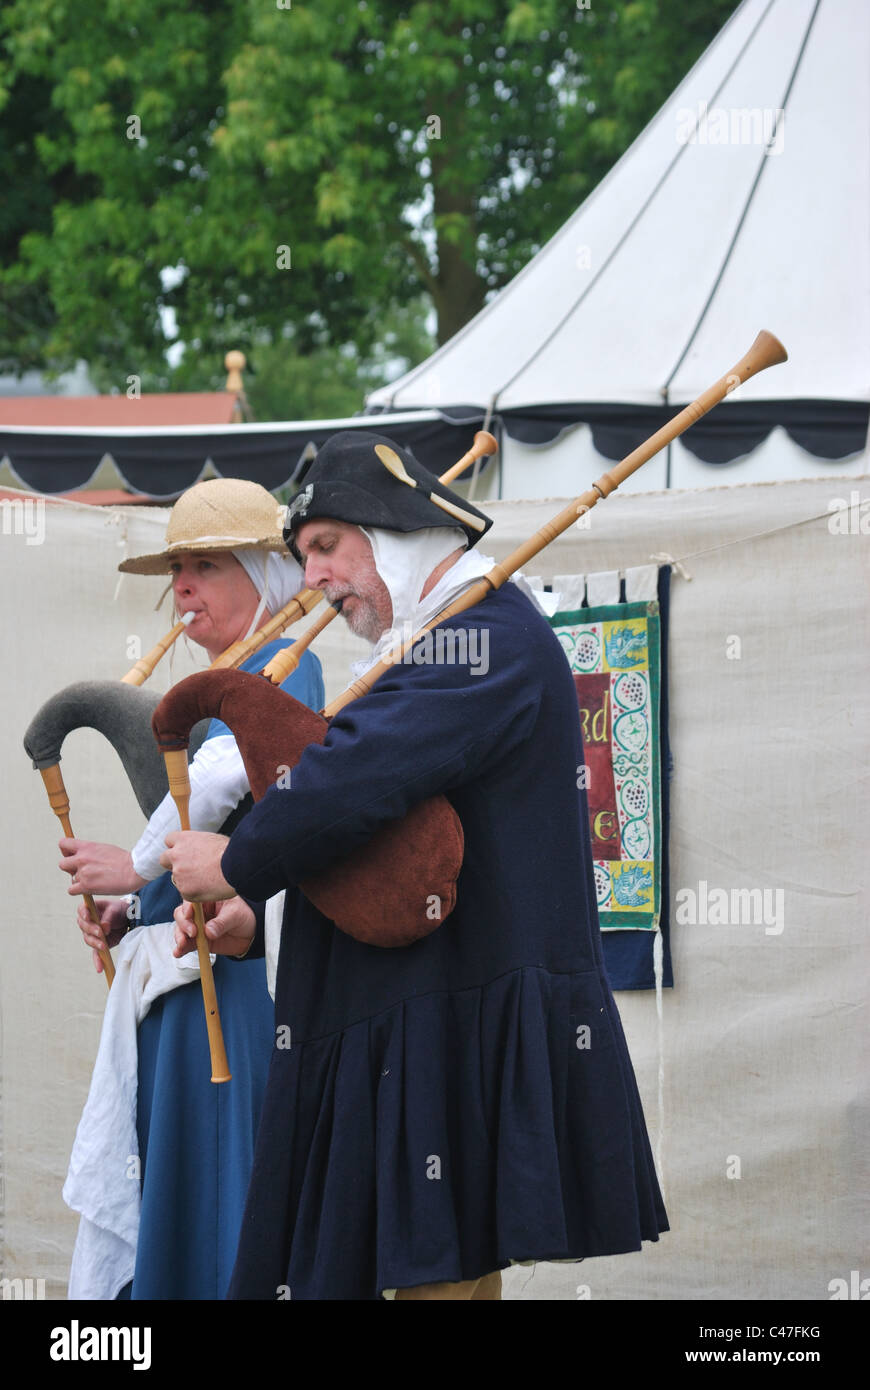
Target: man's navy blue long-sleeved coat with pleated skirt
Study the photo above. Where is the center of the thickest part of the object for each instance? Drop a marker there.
(466, 1102)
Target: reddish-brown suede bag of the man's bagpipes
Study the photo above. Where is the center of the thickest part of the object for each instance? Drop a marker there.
(384, 892)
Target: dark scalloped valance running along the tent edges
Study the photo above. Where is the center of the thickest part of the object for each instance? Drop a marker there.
(162, 464)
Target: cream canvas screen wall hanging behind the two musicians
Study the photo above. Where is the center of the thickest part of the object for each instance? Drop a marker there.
(764, 1038)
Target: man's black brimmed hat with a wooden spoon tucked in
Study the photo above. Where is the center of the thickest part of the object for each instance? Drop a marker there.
(350, 483)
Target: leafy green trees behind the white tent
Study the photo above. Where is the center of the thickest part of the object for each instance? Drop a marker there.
(302, 167)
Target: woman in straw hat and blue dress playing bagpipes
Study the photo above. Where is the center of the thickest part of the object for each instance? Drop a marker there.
(190, 1145)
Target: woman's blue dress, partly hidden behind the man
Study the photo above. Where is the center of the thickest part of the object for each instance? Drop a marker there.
(197, 1139)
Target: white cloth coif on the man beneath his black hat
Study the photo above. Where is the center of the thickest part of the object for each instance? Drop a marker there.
(405, 562)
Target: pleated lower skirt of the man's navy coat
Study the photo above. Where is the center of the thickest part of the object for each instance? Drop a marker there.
(447, 1138)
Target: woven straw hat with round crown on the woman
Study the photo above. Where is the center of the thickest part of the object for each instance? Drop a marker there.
(220, 515)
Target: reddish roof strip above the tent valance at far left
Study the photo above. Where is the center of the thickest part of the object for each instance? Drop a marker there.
(192, 408)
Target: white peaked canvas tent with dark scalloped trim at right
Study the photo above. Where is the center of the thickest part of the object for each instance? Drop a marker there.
(744, 205)
